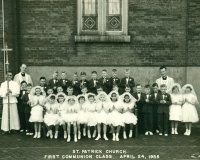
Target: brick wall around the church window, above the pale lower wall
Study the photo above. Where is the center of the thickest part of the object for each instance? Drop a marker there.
(157, 29)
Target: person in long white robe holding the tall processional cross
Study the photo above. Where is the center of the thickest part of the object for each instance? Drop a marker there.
(12, 92)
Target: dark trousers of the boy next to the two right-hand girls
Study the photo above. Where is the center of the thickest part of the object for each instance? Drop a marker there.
(163, 119)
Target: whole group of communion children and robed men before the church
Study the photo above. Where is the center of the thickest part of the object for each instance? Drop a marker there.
(96, 107)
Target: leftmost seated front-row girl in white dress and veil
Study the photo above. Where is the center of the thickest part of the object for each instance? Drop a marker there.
(51, 116)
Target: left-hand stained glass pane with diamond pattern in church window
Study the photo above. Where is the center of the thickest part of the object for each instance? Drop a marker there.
(89, 15)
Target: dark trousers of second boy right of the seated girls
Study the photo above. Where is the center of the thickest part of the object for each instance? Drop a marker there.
(148, 122)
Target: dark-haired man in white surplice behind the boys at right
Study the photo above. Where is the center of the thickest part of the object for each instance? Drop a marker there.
(164, 79)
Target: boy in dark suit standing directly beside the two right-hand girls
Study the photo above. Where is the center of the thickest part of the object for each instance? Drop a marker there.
(163, 101)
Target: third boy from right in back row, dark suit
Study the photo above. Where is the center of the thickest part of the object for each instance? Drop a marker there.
(105, 82)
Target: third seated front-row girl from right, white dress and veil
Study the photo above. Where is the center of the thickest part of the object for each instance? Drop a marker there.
(102, 108)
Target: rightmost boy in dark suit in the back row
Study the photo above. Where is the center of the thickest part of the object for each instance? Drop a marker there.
(127, 80)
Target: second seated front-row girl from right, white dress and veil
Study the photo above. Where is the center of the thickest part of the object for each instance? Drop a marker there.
(115, 117)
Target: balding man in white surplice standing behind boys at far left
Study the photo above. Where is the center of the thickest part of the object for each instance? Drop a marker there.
(23, 76)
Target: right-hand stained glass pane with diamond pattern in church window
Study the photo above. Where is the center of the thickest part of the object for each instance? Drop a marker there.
(114, 15)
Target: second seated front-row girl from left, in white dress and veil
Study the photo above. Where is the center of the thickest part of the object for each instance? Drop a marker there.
(62, 107)
